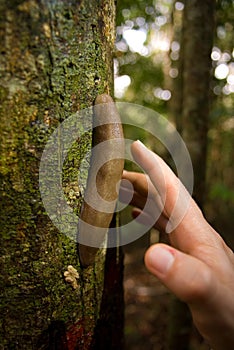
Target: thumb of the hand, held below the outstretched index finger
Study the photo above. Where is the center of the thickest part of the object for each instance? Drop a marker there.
(187, 277)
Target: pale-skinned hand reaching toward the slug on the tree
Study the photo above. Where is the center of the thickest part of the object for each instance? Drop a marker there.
(198, 267)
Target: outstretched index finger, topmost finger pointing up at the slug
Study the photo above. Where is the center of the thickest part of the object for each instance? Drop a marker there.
(186, 222)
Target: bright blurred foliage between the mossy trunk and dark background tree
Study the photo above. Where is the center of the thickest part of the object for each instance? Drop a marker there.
(145, 67)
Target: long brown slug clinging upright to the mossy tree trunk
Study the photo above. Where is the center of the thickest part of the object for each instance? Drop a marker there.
(108, 150)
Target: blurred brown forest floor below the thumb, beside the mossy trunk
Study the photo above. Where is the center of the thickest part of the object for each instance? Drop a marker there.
(147, 304)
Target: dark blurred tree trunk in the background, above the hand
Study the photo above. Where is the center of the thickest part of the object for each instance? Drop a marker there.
(198, 40)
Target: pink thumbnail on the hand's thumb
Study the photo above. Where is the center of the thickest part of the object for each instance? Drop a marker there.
(160, 259)
